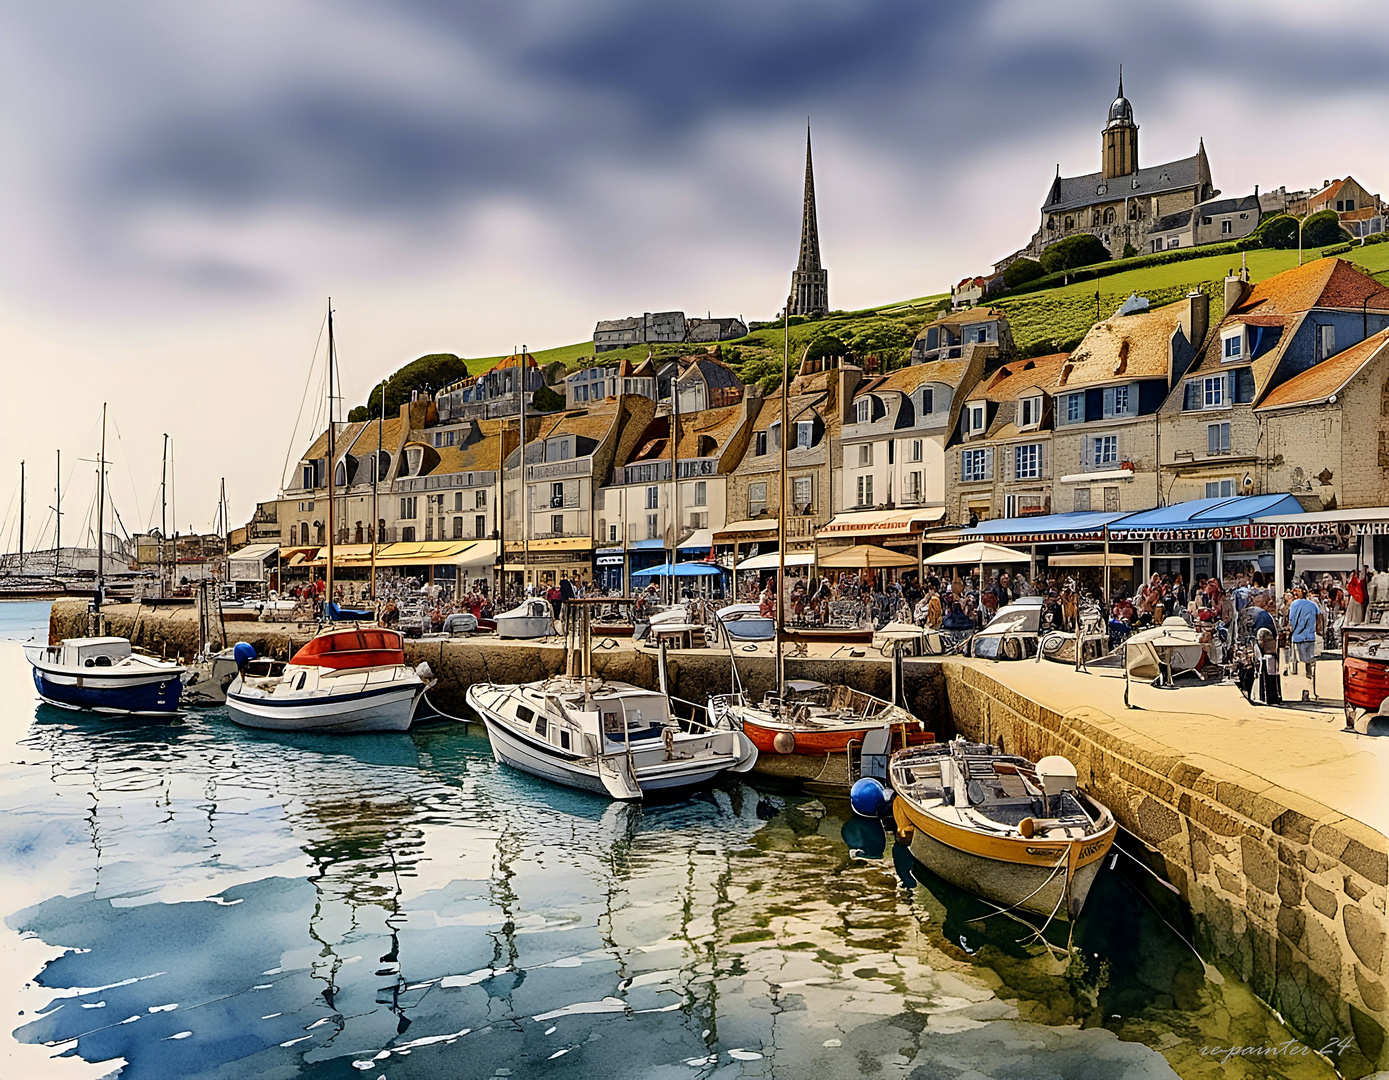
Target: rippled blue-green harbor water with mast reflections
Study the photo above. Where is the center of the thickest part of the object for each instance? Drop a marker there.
(199, 902)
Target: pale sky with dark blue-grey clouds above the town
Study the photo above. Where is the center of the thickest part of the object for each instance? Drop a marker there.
(185, 185)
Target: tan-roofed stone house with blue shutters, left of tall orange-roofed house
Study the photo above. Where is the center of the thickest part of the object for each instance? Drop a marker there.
(1108, 398)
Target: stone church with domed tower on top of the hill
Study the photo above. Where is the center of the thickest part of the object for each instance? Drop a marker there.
(1123, 203)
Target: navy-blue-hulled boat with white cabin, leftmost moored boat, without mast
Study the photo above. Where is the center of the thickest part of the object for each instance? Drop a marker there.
(105, 675)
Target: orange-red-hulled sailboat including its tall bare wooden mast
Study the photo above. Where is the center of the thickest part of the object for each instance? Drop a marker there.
(804, 717)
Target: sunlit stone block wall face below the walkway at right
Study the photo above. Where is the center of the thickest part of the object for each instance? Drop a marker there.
(1286, 892)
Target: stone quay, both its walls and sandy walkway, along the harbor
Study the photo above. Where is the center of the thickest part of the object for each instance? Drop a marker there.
(1270, 822)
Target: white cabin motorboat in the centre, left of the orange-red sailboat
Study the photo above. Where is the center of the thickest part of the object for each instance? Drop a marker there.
(602, 736)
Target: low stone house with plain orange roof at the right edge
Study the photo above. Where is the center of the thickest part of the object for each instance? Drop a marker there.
(1327, 430)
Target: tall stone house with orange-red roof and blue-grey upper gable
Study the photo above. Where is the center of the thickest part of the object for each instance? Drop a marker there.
(1211, 438)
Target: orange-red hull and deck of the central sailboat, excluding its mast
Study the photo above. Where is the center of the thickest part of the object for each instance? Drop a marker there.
(813, 718)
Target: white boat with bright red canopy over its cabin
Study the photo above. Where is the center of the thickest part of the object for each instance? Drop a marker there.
(347, 680)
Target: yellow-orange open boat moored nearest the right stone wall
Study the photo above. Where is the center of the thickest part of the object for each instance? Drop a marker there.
(1019, 835)
